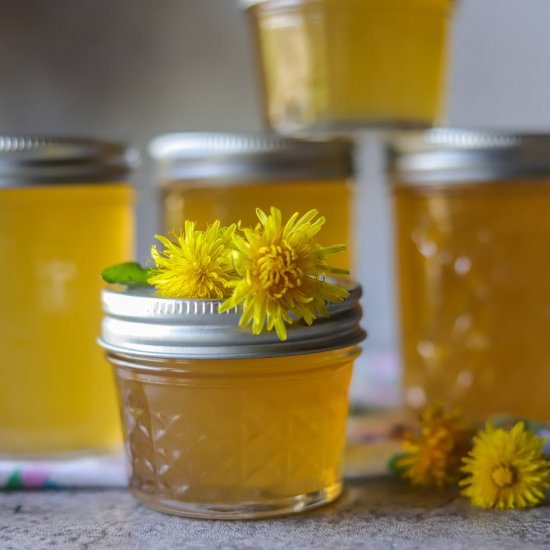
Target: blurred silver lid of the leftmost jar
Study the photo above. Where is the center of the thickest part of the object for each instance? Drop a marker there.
(34, 160)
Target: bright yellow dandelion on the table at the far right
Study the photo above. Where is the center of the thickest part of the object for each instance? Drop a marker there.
(506, 469)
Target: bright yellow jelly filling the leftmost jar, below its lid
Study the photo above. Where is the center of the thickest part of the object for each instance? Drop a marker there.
(56, 390)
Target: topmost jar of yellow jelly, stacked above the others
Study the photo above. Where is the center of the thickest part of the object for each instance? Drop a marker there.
(343, 64)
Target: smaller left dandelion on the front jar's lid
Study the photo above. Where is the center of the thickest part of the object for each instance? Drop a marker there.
(196, 265)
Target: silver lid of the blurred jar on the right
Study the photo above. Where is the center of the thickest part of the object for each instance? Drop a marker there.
(445, 155)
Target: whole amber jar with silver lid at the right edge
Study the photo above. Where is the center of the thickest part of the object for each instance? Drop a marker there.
(473, 226)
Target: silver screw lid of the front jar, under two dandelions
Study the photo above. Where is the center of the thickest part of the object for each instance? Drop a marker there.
(139, 323)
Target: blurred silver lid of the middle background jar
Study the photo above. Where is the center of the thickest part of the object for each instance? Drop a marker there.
(249, 157)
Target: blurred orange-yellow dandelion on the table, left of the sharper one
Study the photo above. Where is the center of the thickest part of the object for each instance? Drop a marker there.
(432, 455)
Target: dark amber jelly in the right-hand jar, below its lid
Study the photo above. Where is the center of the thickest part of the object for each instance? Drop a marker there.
(475, 297)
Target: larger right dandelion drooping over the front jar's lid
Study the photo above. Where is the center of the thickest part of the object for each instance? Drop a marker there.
(282, 272)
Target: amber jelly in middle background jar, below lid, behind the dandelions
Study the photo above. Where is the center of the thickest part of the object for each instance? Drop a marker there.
(204, 202)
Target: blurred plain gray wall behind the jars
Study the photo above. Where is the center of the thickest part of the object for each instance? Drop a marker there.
(131, 69)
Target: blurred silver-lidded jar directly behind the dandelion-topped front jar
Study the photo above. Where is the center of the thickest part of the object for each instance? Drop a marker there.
(208, 176)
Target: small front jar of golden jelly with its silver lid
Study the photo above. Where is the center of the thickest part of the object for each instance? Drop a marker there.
(221, 423)
